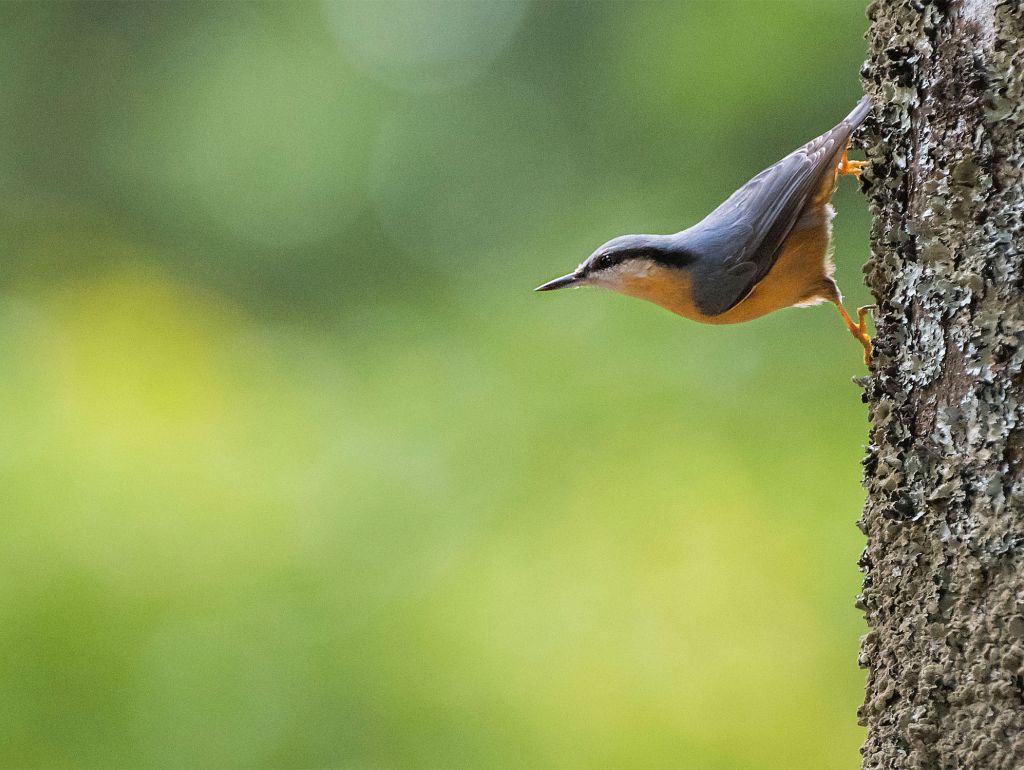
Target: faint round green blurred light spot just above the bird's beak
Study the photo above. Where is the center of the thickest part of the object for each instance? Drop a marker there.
(455, 180)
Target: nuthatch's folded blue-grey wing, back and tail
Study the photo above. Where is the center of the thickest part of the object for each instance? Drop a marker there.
(740, 242)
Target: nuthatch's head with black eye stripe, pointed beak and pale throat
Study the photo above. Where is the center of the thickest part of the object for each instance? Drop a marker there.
(636, 266)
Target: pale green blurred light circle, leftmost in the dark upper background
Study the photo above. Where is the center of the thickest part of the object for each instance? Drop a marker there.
(279, 163)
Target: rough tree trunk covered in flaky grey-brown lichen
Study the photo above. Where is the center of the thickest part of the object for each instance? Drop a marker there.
(945, 519)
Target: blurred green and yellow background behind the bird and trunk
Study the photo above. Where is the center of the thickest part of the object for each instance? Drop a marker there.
(298, 473)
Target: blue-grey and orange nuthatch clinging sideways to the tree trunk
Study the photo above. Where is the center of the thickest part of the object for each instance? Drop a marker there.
(766, 248)
